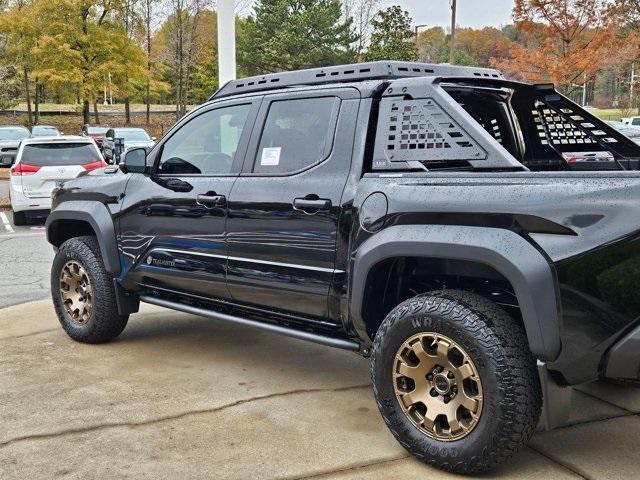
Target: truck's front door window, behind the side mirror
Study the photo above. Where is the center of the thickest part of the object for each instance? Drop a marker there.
(206, 144)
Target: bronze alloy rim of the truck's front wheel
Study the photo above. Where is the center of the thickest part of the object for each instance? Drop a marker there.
(76, 292)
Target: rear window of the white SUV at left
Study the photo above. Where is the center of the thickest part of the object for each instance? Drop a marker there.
(46, 154)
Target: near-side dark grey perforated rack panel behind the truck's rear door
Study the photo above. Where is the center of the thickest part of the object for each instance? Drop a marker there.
(420, 130)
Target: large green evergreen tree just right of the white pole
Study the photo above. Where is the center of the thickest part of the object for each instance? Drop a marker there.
(294, 34)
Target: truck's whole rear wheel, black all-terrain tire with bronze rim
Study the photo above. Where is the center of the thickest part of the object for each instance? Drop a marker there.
(455, 381)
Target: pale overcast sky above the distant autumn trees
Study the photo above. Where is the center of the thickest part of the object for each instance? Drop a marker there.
(471, 13)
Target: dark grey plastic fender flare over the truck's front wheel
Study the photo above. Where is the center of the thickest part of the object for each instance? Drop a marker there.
(98, 216)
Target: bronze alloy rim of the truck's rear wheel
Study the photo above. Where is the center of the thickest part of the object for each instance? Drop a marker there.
(437, 386)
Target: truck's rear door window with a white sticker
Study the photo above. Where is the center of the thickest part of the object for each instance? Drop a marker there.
(297, 134)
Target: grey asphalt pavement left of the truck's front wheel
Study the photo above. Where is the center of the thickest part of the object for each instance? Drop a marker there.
(25, 259)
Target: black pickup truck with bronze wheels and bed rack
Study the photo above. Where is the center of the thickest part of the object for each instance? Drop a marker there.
(477, 238)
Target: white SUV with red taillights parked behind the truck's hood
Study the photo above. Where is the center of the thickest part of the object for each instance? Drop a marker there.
(43, 164)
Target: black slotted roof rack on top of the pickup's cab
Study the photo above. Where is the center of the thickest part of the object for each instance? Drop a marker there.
(350, 73)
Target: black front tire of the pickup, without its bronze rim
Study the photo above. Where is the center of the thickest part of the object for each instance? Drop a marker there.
(104, 322)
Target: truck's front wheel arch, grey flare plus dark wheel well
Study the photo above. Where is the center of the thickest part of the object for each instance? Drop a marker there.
(78, 218)
